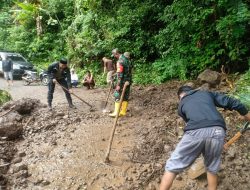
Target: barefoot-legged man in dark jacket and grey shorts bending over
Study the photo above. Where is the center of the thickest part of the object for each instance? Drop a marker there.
(204, 133)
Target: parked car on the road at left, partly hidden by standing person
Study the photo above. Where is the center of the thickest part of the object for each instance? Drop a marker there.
(20, 64)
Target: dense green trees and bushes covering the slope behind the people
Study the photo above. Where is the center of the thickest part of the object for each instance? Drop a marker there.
(168, 39)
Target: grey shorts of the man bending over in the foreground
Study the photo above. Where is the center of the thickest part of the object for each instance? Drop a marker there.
(206, 141)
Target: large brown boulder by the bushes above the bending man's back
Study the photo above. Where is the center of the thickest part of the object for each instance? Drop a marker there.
(211, 77)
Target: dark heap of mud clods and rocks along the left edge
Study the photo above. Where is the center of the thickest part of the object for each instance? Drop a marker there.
(12, 121)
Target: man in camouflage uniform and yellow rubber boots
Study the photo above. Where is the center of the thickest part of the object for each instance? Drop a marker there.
(123, 74)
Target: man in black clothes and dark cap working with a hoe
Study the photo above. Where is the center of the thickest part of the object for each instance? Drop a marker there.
(59, 73)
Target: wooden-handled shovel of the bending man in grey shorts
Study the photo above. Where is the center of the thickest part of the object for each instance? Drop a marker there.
(198, 168)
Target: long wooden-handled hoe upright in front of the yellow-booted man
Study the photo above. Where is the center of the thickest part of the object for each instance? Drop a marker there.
(115, 122)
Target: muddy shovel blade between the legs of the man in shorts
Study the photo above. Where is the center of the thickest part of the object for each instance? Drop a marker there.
(197, 169)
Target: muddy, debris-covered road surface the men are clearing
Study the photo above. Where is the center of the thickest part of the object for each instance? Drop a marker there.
(66, 148)
